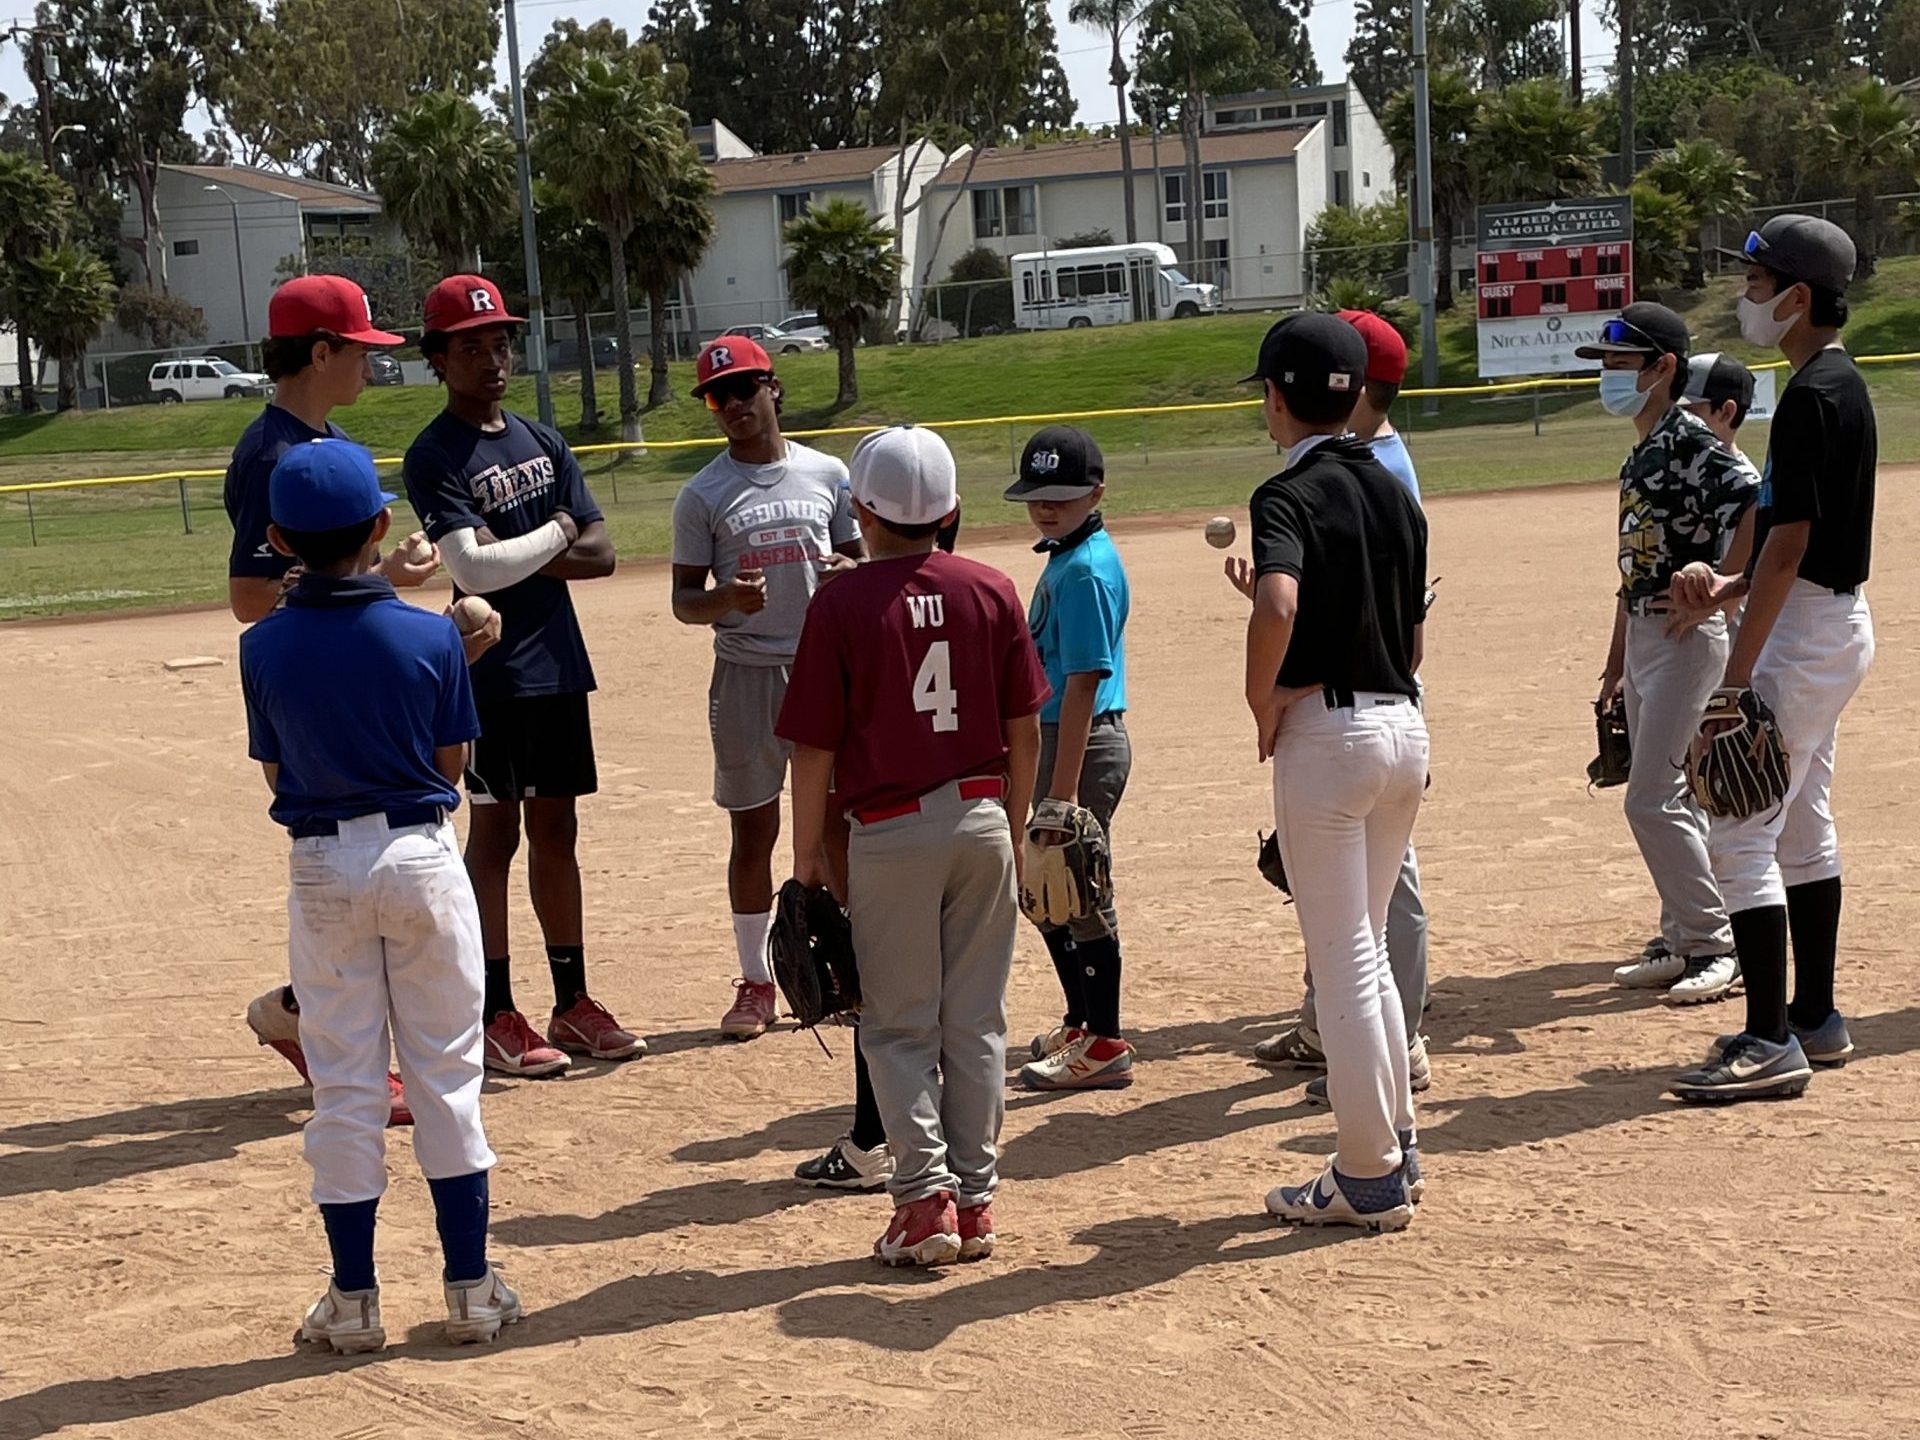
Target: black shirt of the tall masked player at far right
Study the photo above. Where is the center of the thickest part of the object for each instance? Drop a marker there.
(1821, 462)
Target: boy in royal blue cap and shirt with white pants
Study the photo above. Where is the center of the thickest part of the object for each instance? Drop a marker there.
(383, 926)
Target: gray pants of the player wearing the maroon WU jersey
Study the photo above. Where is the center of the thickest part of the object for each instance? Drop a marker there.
(932, 905)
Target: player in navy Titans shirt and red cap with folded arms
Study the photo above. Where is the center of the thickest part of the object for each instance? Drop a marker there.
(508, 506)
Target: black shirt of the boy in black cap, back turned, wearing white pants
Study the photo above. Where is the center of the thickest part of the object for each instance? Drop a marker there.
(1356, 542)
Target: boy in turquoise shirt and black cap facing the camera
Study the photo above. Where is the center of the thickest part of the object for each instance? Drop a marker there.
(1078, 623)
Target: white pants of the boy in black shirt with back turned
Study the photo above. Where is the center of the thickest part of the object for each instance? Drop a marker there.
(1347, 786)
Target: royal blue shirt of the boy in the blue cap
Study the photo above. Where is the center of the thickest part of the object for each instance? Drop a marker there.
(350, 692)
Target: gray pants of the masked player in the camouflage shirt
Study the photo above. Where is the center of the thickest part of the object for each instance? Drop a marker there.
(1668, 688)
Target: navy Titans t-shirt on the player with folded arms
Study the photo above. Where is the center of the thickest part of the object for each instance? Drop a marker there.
(510, 483)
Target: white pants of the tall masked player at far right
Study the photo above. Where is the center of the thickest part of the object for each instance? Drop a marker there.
(1813, 663)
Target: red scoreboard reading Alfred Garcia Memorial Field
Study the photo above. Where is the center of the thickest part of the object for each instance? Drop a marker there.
(1547, 277)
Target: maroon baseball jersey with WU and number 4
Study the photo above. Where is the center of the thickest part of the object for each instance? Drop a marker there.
(907, 671)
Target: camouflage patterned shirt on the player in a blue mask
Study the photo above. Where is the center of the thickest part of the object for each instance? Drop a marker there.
(1683, 494)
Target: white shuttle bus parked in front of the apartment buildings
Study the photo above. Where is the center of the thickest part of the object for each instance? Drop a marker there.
(1105, 285)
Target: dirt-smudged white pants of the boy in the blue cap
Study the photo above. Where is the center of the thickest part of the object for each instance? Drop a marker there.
(385, 934)
